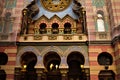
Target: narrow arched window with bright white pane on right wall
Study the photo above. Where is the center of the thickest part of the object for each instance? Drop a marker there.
(100, 22)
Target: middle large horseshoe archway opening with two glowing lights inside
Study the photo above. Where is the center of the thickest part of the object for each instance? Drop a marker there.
(52, 61)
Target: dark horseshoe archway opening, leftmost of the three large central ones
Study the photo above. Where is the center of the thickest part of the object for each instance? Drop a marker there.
(28, 62)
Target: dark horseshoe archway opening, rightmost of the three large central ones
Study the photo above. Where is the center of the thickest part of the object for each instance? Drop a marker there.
(75, 62)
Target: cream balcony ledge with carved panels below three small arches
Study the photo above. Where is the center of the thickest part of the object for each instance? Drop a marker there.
(53, 38)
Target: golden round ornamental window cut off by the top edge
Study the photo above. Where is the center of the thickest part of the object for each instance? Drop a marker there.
(55, 5)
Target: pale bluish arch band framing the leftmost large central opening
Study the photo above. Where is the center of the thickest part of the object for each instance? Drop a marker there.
(26, 49)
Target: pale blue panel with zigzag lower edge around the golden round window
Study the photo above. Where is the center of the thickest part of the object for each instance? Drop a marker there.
(60, 14)
